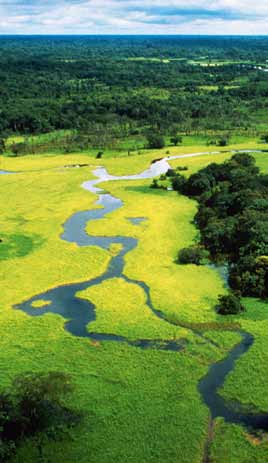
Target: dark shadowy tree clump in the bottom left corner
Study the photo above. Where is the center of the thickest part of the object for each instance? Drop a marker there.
(34, 408)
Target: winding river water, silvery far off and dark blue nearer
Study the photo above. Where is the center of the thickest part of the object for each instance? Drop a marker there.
(79, 313)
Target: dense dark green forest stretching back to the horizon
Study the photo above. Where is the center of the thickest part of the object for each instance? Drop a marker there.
(116, 87)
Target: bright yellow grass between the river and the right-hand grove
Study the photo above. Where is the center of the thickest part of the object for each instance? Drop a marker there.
(189, 291)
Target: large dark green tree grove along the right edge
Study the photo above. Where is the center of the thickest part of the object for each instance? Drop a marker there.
(233, 219)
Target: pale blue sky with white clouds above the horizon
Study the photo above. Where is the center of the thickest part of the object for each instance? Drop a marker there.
(220, 17)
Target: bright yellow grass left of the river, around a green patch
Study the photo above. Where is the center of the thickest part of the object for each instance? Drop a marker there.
(38, 204)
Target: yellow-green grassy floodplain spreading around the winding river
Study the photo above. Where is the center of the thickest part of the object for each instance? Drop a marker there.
(140, 405)
